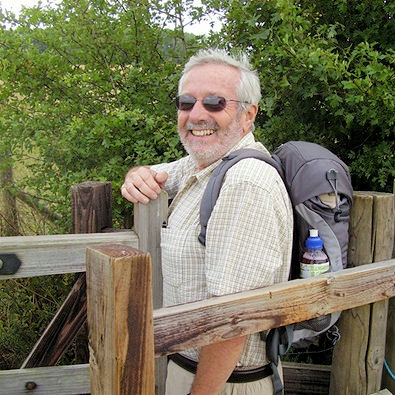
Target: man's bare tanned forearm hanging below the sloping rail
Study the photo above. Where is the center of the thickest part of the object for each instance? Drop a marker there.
(216, 363)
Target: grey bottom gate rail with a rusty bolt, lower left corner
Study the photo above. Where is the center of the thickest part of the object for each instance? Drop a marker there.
(59, 380)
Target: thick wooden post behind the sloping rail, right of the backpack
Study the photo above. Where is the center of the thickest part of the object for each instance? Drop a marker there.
(358, 357)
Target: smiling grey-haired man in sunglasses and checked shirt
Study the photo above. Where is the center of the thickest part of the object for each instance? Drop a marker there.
(249, 235)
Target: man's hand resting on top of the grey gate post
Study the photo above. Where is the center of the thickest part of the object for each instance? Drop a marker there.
(143, 184)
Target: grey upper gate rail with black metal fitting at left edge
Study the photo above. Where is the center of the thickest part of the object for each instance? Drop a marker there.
(58, 254)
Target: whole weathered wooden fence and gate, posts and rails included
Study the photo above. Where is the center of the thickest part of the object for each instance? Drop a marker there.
(124, 339)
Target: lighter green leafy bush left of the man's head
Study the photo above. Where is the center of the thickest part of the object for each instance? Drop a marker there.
(86, 93)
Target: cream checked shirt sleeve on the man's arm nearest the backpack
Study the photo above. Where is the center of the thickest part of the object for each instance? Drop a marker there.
(249, 235)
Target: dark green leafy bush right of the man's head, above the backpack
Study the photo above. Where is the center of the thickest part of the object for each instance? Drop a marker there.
(327, 72)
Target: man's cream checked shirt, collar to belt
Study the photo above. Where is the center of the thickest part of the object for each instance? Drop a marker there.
(248, 242)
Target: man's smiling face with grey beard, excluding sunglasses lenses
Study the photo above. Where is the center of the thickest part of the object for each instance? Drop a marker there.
(208, 136)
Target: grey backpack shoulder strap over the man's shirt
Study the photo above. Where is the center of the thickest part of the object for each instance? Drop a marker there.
(213, 188)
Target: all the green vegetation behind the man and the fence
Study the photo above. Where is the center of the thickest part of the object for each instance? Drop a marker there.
(87, 91)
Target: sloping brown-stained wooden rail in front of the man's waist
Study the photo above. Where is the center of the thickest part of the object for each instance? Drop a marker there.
(196, 324)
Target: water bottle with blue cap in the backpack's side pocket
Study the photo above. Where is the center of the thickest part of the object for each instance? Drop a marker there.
(314, 260)
